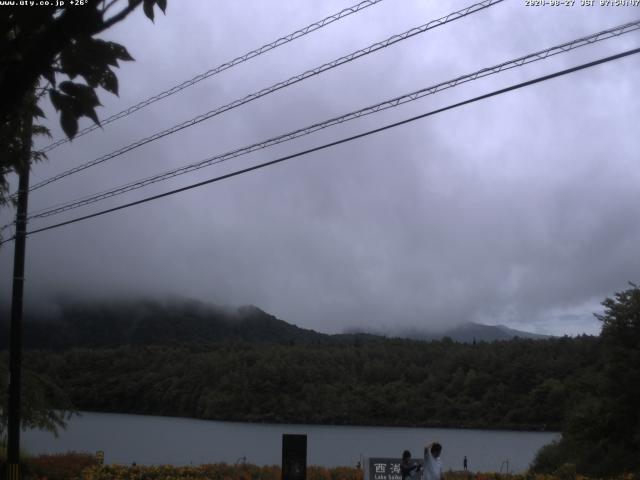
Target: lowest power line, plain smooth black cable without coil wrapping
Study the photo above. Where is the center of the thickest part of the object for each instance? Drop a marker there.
(344, 140)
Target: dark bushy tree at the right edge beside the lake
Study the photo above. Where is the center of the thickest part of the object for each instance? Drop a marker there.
(602, 432)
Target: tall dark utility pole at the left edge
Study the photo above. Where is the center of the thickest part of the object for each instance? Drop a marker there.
(15, 340)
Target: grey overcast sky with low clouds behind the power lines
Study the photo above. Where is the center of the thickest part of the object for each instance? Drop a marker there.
(520, 210)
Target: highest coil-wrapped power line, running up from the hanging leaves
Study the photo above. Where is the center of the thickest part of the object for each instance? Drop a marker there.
(220, 68)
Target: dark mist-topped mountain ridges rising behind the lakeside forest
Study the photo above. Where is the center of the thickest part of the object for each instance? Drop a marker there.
(146, 322)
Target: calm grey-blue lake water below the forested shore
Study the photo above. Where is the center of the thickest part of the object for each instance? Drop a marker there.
(149, 440)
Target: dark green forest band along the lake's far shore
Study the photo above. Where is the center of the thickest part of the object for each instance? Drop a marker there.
(518, 384)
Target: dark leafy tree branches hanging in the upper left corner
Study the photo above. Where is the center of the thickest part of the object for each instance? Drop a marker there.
(51, 51)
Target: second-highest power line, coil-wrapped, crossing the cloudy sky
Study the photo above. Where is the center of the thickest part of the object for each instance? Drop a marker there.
(293, 80)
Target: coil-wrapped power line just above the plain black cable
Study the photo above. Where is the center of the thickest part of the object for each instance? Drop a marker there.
(387, 104)
